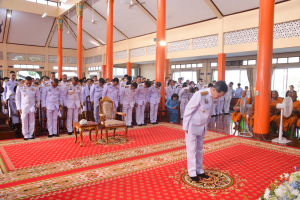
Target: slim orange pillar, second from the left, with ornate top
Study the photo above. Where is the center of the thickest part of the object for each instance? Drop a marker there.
(79, 10)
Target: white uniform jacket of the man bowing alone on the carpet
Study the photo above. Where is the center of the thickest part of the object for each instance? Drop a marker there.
(198, 112)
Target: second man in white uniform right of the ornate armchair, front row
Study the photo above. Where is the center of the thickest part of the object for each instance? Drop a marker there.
(142, 101)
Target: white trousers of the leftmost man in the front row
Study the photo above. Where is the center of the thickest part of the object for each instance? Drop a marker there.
(28, 124)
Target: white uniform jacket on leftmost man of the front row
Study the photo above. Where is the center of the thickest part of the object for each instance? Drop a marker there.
(28, 98)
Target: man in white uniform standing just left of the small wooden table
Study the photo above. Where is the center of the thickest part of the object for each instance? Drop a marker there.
(73, 99)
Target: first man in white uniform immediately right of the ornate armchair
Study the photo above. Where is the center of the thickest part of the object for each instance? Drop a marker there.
(128, 95)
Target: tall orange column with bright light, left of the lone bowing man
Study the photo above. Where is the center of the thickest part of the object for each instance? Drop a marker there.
(160, 50)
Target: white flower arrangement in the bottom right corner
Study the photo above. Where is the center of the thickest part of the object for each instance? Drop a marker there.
(286, 189)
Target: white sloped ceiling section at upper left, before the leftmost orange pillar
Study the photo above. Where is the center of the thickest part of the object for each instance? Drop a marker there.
(29, 29)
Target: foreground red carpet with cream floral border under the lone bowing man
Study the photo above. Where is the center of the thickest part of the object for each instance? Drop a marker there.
(252, 165)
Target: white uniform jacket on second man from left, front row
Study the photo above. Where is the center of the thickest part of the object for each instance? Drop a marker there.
(51, 97)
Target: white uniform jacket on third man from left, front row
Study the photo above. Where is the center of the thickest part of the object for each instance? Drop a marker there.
(72, 96)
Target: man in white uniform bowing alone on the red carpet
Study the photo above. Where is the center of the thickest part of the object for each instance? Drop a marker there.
(196, 117)
